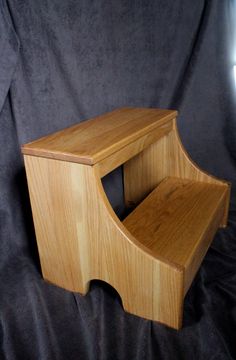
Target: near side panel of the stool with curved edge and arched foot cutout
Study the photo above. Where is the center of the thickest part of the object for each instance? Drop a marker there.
(80, 238)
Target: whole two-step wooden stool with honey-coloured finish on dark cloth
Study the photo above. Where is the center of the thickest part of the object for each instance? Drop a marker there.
(152, 256)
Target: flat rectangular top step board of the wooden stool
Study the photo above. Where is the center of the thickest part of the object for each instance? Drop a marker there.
(92, 141)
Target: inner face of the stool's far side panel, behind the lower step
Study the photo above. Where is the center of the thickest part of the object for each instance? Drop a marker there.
(164, 158)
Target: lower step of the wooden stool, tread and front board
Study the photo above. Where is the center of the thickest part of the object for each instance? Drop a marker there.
(174, 221)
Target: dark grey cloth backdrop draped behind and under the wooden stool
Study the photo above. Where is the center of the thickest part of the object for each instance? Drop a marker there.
(65, 61)
